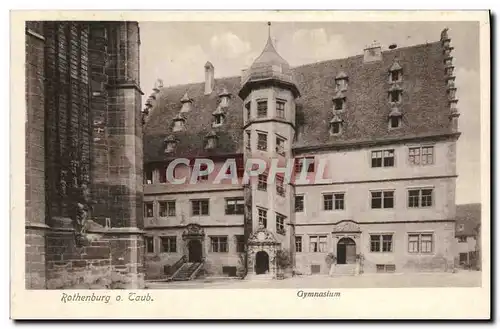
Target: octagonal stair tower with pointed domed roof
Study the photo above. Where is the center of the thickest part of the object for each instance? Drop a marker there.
(269, 94)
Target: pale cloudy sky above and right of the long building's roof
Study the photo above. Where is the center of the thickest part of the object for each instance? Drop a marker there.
(176, 52)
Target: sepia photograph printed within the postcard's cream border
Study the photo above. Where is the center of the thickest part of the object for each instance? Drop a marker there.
(312, 155)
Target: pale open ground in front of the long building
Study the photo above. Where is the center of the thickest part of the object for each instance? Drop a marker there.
(459, 279)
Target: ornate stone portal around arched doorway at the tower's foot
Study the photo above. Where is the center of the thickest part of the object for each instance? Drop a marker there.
(262, 247)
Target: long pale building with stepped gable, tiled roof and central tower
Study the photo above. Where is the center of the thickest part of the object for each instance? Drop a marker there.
(372, 143)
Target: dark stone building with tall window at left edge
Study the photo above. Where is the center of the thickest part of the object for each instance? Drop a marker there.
(83, 154)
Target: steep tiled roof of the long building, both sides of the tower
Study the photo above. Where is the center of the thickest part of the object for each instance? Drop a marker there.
(425, 109)
